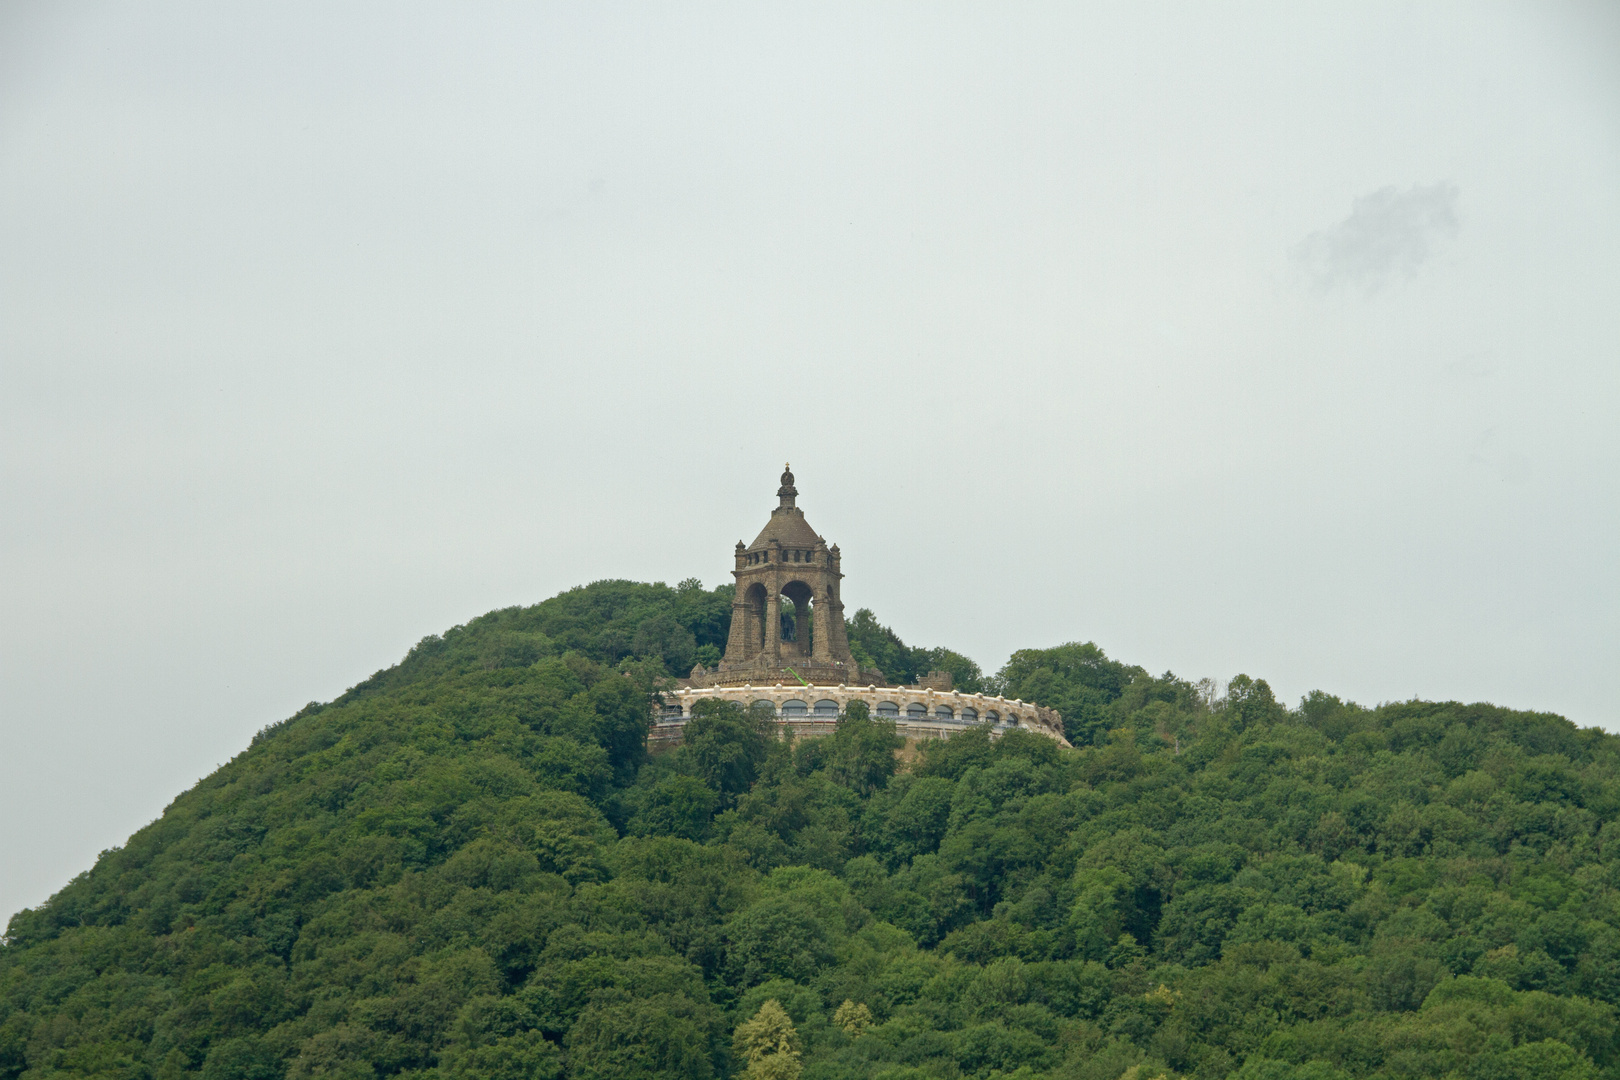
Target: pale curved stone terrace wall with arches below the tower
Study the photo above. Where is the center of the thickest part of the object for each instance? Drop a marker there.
(918, 712)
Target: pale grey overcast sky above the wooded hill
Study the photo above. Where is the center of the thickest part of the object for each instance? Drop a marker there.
(1271, 339)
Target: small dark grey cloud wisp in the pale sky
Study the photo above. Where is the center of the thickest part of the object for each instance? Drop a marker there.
(1388, 232)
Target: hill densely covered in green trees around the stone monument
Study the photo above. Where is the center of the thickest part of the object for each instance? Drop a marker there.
(469, 867)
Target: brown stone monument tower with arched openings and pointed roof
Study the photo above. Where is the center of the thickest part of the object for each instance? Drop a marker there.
(788, 563)
